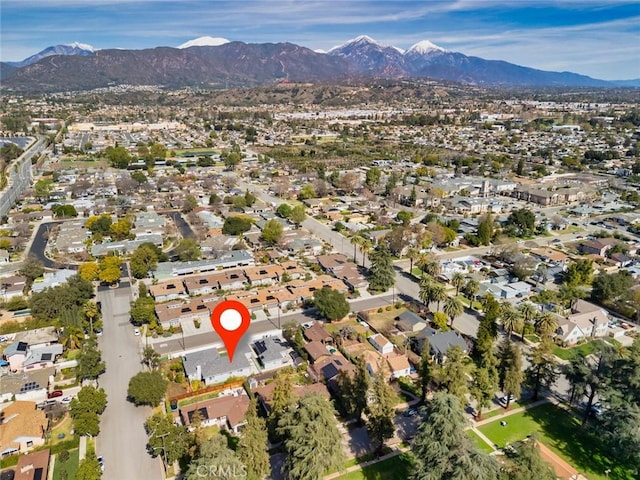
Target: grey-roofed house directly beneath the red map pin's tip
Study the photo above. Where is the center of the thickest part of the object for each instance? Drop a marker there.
(211, 368)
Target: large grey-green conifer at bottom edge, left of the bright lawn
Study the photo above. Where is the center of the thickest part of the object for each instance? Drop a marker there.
(442, 449)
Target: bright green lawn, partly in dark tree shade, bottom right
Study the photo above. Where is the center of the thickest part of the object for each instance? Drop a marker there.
(561, 432)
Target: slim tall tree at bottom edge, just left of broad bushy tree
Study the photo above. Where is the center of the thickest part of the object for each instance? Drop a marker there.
(253, 448)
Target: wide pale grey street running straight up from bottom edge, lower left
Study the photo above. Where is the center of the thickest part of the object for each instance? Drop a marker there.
(122, 437)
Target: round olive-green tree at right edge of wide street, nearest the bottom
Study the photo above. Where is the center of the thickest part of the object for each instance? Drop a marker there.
(167, 440)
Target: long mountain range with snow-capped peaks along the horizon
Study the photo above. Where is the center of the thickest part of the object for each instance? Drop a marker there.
(217, 62)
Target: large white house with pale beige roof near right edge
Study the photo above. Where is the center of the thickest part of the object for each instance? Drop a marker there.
(586, 321)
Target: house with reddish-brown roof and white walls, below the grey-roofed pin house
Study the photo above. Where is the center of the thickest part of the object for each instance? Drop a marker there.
(227, 412)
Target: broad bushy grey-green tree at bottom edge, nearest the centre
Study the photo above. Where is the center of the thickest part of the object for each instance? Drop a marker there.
(312, 441)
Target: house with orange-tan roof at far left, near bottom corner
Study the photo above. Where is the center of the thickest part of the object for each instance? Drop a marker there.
(22, 429)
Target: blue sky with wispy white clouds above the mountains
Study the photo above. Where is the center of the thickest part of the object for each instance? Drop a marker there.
(600, 38)
